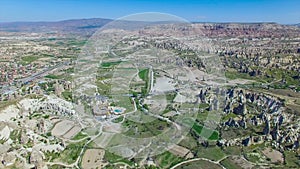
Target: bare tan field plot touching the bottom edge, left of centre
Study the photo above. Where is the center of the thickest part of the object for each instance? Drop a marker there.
(92, 158)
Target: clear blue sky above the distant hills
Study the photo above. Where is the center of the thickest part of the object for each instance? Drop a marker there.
(280, 11)
